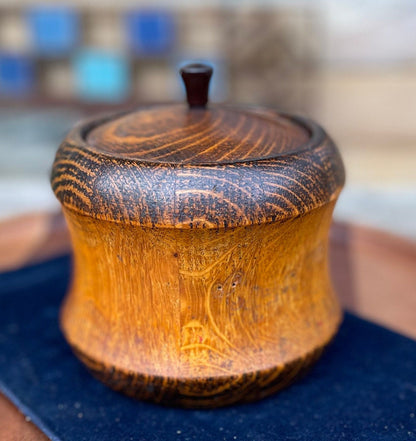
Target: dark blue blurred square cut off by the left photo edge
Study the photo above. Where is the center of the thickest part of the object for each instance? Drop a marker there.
(17, 74)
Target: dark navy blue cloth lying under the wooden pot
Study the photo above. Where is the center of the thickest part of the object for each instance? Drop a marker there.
(363, 388)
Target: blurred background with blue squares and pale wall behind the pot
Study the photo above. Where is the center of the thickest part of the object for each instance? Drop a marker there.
(350, 65)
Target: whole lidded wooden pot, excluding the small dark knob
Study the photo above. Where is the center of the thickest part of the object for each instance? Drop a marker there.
(200, 251)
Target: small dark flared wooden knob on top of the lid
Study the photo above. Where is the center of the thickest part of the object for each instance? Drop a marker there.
(196, 78)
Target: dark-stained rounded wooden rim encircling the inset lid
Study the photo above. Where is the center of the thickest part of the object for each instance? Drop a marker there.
(182, 195)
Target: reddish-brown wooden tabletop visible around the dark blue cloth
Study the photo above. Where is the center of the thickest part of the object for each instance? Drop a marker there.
(373, 274)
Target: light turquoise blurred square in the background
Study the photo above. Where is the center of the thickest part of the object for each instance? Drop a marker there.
(101, 76)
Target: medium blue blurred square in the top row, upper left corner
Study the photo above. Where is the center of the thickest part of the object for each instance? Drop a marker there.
(54, 30)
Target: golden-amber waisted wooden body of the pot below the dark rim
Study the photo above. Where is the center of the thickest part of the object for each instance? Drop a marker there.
(199, 305)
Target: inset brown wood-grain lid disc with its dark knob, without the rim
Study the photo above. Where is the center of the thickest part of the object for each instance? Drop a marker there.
(196, 134)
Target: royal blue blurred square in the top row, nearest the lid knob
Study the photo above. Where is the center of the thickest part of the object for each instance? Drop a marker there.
(150, 32)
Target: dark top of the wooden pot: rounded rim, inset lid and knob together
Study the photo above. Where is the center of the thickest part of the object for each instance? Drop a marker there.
(196, 167)
